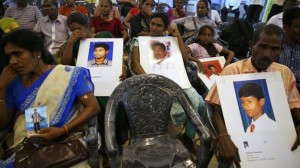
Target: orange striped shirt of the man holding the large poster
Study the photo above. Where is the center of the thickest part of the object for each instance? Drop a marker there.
(245, 66)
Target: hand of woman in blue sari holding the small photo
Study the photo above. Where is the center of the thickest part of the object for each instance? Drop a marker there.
(50, 133)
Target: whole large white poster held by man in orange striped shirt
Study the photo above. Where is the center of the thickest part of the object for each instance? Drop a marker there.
(258, 119)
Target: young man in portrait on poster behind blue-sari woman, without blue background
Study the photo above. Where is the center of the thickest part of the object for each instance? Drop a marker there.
(101, 50)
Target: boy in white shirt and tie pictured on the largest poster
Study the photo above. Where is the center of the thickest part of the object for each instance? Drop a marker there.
(252, 100)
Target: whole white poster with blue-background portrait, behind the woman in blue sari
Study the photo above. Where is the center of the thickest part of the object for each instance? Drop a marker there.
(104, 58)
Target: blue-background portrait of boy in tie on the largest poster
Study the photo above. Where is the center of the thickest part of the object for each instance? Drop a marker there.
(255, 106)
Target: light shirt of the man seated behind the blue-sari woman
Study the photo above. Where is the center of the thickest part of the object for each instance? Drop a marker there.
(55, 33)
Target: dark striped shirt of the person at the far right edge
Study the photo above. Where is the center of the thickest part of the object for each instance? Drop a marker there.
(290, 57)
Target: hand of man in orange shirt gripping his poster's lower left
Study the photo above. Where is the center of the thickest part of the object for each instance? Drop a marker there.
(227, 151)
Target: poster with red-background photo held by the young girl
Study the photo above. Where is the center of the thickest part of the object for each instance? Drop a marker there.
(214, 67)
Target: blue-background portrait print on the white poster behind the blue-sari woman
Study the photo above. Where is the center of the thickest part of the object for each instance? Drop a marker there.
(100, 54)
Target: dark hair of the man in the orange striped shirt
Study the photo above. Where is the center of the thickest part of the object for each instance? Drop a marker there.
(269, 29)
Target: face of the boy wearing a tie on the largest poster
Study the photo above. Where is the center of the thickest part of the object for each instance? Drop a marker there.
(252, 106)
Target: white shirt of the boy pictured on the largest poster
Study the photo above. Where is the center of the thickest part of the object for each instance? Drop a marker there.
(263, 123)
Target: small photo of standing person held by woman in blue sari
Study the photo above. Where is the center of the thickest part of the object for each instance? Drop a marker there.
(36, 119)
